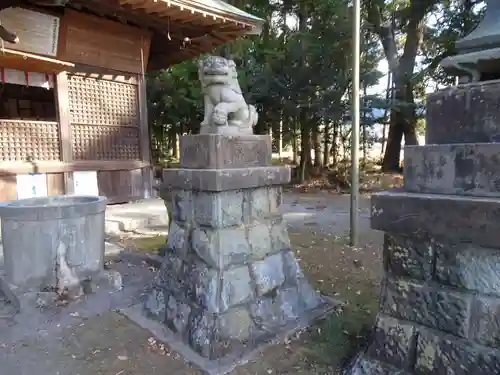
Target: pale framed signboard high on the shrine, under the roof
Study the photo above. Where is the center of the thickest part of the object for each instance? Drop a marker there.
(38, 32)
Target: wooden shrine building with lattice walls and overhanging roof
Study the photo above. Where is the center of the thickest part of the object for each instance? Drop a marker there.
(73, 113)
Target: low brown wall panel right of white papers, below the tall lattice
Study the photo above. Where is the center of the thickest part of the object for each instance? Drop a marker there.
(121, 186)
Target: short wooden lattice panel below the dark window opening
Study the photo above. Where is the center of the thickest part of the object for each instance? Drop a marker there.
(29, 140)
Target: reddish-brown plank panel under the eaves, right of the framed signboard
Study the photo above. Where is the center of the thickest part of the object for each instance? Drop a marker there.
(95, 41)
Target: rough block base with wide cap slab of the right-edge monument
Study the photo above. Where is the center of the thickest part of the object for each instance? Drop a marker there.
(440, 294)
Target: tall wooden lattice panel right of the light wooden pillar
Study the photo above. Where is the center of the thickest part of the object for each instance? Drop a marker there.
(104, 119)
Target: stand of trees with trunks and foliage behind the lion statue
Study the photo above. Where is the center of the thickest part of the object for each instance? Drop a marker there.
(298, 74)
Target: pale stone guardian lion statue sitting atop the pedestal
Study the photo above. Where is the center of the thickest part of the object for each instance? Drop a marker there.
(226, 111)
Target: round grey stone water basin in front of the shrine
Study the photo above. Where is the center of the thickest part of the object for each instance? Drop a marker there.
(51, 241)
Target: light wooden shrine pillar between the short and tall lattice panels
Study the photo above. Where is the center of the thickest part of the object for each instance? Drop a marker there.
(62, 101)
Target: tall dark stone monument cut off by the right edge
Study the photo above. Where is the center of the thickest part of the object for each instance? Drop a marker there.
(440, 301)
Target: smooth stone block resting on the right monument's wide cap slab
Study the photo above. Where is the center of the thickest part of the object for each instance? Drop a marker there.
(464, 169)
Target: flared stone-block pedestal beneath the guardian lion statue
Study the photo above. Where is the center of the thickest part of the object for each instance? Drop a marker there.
(229, 280)
